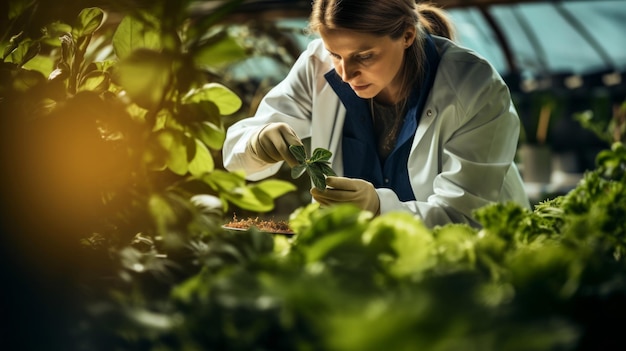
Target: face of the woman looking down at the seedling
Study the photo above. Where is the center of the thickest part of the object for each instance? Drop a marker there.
(369, 63)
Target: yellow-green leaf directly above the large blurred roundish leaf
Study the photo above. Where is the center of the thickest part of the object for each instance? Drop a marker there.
(133, 34)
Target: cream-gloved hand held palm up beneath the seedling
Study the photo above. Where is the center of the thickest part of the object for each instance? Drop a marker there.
(347, 190)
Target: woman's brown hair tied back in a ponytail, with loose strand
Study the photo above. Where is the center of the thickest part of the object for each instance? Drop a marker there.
(386, 18)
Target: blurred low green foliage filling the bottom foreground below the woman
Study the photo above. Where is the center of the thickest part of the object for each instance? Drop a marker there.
(548, 279)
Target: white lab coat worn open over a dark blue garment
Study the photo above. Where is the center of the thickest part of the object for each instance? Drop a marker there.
(461, 157)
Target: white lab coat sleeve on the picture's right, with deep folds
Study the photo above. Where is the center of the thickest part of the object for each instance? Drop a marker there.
(477, 134)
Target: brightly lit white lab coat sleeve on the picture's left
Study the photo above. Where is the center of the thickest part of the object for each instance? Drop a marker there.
(289, 101)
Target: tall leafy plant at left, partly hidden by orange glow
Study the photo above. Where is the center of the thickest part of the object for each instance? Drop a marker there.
(146, 92)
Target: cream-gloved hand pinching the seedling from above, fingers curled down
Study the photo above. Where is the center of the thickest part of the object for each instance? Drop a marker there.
(271, 143)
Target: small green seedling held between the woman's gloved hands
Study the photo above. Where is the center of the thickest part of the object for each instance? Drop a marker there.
(318, 166)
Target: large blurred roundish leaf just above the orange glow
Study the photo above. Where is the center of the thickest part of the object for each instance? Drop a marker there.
(145, 76)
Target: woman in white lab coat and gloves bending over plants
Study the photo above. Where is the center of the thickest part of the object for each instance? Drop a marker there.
(415, 122)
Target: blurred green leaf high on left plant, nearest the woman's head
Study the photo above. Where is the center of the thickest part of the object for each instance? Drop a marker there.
(218, 54)
